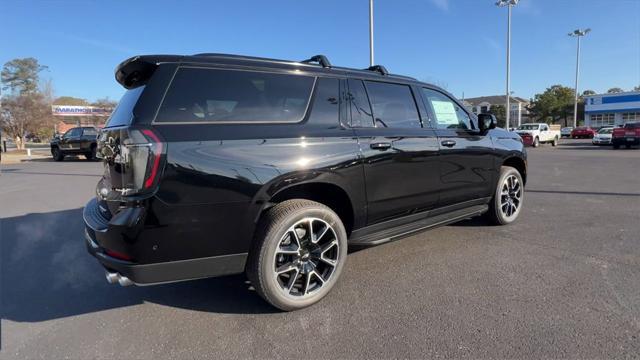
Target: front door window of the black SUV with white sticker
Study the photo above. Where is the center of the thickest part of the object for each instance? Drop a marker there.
(447, 113)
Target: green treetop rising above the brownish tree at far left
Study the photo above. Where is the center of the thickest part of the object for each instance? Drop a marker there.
(21, 75)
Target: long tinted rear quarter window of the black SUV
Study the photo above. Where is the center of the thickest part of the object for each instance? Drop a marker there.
(209, 95)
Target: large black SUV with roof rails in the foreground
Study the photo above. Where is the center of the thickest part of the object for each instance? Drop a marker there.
(221, 164)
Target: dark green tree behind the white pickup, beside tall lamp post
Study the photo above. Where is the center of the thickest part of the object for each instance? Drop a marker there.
(553, 104)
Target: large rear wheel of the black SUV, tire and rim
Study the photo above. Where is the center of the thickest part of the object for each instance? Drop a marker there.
(282, 241)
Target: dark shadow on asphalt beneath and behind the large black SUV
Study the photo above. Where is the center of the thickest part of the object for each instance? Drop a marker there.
(47, 274)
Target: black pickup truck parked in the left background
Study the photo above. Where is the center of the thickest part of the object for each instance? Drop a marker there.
(76, 141)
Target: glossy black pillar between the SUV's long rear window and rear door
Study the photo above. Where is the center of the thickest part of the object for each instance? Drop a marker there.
(326, 104)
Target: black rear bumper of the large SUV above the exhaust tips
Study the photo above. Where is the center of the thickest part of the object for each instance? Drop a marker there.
(100, 232)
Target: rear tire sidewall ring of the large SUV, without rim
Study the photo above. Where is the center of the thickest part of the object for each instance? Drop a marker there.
(267, 253)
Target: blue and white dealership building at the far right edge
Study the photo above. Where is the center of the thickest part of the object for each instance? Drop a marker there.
(612, 109)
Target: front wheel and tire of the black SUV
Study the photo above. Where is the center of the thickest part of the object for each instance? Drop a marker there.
(501, 210)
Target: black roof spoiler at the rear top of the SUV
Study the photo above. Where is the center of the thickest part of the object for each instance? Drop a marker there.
(137, 70)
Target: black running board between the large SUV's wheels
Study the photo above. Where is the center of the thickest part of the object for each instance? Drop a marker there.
(362, 237)
